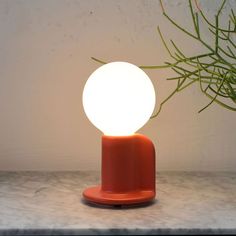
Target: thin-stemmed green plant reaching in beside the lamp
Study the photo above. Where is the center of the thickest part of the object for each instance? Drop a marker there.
(214, 70)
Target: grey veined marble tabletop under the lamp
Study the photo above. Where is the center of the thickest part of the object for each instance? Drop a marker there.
(46, 203)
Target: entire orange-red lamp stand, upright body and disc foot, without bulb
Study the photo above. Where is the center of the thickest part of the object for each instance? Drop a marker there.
(128, 171)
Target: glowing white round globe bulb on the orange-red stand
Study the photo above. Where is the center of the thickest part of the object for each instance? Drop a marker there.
(119, 98)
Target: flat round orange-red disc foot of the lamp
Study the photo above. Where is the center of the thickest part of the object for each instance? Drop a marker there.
(96, 195)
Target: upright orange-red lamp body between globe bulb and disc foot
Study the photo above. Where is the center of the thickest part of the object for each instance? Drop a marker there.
(128, 163)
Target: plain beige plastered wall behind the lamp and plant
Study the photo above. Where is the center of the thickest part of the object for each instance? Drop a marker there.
(45, 50)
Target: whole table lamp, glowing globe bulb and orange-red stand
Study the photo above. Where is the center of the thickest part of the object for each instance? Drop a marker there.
(119, 98)
